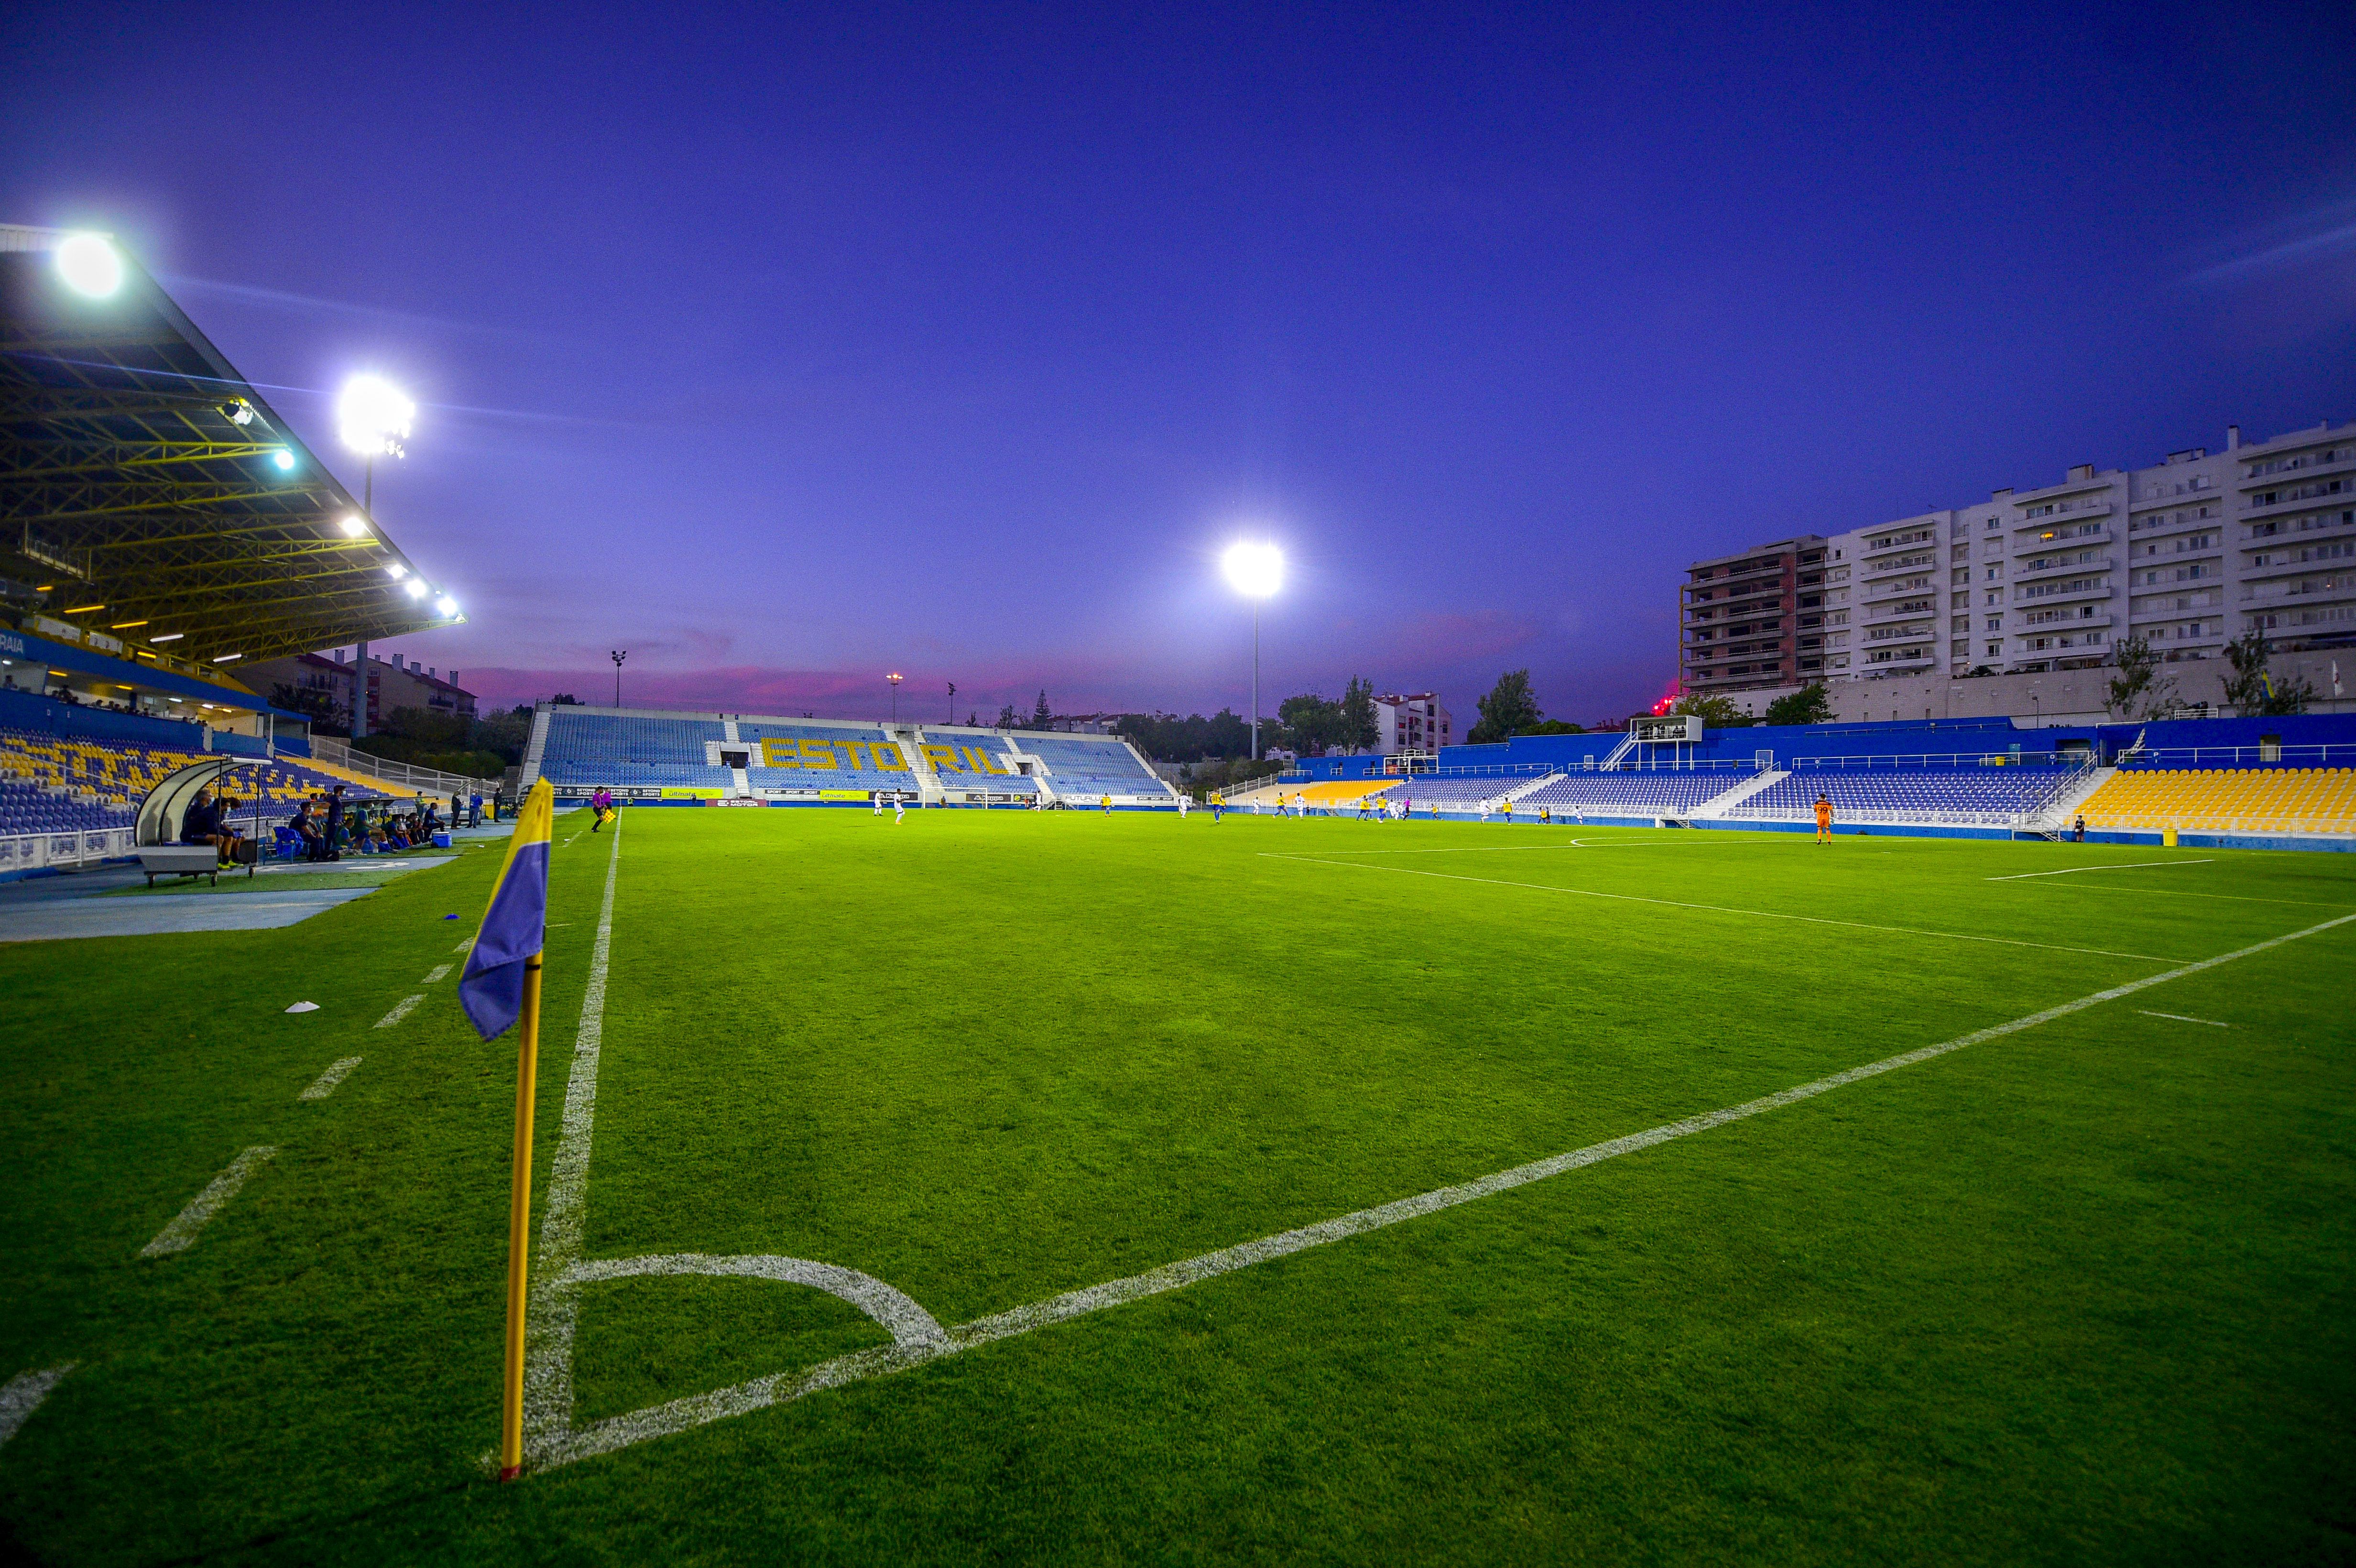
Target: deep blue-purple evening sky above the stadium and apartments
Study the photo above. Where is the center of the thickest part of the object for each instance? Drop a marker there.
(793, 345)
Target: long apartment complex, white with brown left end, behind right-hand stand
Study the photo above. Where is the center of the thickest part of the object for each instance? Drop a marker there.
(2188, 554)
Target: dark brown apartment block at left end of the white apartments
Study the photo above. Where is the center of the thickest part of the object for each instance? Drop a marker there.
(1756, 618)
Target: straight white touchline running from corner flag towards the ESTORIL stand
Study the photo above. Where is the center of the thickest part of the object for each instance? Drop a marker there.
(552, 1303)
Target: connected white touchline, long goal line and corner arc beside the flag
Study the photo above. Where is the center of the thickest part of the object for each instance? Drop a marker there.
(548, 1416)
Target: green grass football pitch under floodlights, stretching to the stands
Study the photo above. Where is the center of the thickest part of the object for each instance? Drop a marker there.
(1068, 1188)
